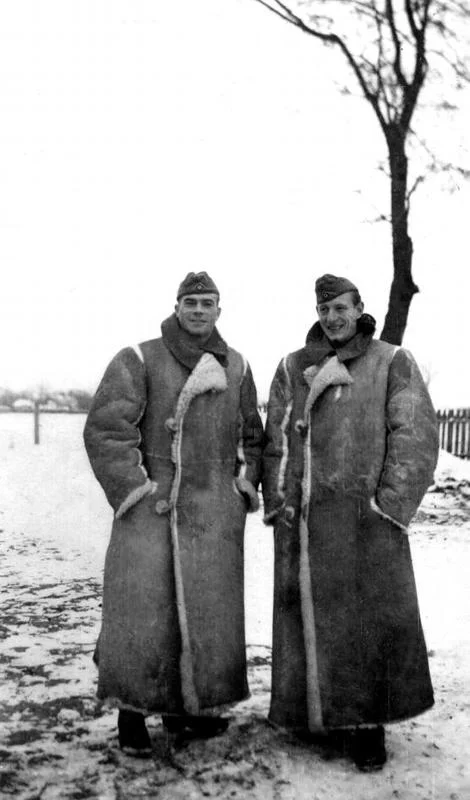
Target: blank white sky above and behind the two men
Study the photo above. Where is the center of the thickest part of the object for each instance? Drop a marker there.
(142, 139)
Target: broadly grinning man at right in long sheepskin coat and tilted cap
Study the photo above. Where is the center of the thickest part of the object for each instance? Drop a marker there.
(351, 448)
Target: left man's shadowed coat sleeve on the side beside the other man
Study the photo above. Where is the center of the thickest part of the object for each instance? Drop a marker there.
(251, 442)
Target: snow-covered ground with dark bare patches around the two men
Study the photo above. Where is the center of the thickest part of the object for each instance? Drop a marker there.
(58, 742)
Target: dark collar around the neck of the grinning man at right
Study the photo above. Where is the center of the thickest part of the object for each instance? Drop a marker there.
(318, 346)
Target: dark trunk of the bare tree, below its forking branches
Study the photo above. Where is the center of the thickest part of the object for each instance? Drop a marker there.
(403, 287)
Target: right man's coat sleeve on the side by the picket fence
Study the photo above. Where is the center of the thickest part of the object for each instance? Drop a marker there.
(412, 445)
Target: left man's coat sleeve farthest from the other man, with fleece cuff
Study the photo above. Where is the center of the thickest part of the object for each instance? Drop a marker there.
(112, 434)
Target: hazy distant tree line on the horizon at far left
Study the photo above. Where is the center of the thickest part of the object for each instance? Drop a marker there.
(71, 400)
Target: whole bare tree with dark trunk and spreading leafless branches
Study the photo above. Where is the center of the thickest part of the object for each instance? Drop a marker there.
(392, 48)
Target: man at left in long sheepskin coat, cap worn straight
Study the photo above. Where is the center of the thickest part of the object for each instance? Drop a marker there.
(174, 438)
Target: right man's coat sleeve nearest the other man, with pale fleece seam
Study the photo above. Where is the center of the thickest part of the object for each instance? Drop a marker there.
(276, 451)
